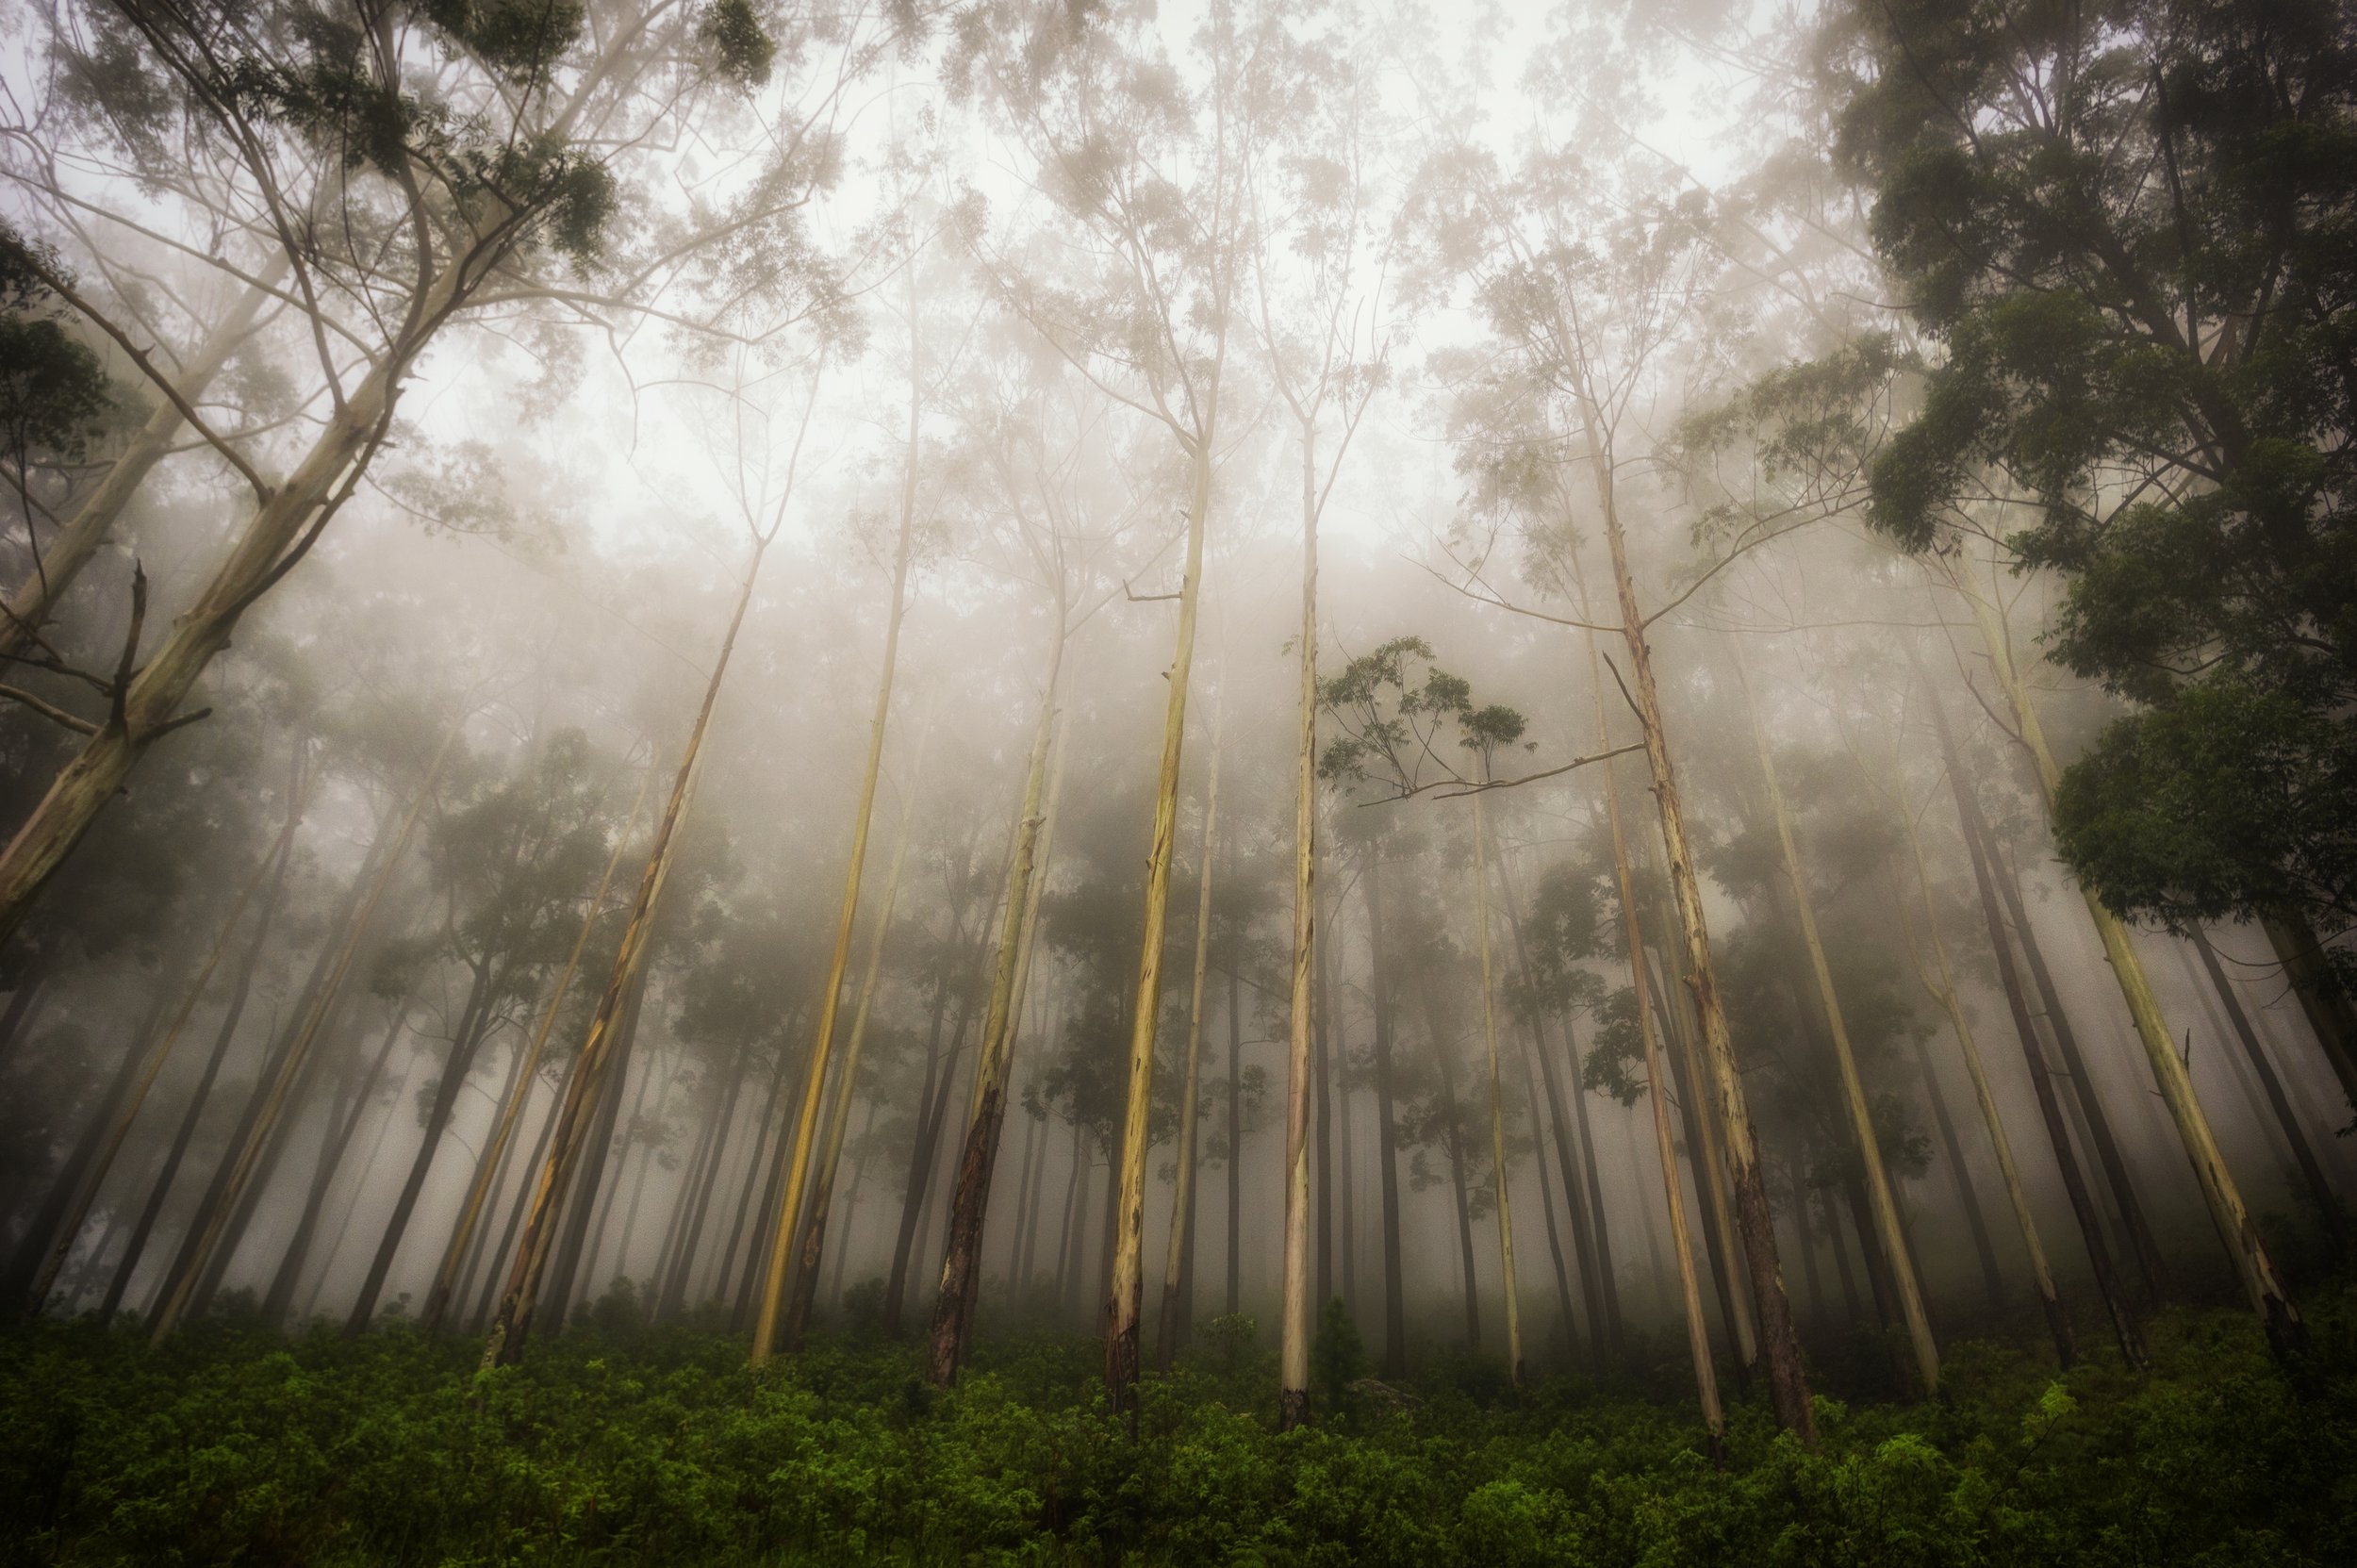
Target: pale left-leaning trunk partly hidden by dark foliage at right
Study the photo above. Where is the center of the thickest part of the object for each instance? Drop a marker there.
(2236, 1230)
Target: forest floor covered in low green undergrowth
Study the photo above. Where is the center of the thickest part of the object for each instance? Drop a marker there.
(621, 1444)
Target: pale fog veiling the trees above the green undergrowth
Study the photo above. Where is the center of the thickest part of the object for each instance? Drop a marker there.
(659, 624)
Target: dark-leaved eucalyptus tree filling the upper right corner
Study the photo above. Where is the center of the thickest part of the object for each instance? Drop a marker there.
(2134, 218)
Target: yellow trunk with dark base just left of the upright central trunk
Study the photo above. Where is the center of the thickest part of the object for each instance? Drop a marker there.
(1125, 1298)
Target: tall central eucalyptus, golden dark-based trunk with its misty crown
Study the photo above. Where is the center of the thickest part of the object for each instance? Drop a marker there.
(1147, 166)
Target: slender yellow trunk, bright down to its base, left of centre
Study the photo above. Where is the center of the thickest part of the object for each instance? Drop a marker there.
(798, 1149)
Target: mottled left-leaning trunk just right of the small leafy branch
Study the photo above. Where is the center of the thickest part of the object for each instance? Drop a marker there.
(1781, 1348)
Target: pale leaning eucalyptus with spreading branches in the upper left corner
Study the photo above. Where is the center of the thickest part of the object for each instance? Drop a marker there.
(411, 166)
